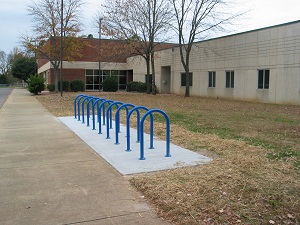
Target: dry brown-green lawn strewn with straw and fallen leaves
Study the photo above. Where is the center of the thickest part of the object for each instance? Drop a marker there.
(254, 177)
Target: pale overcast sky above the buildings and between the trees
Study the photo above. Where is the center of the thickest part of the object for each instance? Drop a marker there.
(15, 21)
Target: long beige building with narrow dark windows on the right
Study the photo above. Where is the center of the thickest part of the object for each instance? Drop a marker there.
(261, 65)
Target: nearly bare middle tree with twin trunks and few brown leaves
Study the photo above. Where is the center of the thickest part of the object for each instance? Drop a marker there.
(142, 23)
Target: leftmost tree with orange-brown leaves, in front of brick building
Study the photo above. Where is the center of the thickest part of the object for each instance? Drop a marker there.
(46, 16)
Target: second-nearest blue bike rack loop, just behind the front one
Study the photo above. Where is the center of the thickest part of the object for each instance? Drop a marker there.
(137, 108)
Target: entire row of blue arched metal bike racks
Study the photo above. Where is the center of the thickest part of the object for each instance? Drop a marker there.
(106, 107)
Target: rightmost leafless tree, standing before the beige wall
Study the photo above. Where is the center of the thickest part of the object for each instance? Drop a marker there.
(194, 20)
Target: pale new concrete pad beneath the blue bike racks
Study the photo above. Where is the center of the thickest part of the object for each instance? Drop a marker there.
(128, 162)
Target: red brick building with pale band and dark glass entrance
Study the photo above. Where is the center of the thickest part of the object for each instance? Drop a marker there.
(110, 56)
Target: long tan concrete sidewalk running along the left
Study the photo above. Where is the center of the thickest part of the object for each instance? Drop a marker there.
(50, 176)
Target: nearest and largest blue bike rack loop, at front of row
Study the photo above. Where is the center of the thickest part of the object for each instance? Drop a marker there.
(150, 112)
